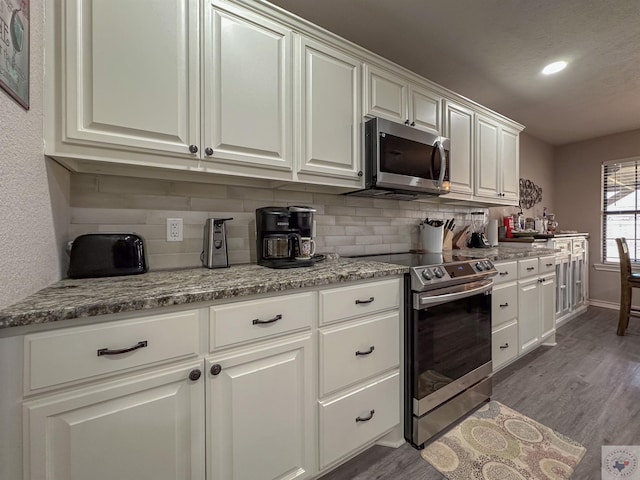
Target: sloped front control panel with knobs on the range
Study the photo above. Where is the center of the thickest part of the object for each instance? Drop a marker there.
(437, 276)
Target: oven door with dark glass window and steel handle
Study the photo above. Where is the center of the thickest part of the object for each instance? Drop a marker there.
(449, 342)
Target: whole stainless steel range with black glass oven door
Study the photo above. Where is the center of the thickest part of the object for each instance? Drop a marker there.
(447, 340)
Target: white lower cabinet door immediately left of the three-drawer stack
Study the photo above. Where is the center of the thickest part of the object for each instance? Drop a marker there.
(260, 422)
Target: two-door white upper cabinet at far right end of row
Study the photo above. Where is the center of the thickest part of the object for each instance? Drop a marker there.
(497, 169)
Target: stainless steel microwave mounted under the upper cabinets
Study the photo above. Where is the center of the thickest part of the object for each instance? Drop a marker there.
(403, 162)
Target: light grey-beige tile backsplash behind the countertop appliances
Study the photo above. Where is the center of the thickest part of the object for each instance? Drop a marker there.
(345, 225)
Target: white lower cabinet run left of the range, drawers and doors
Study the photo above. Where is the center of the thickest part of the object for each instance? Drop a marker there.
(228, 391)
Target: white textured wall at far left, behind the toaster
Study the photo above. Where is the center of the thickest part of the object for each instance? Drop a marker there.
(34, 192)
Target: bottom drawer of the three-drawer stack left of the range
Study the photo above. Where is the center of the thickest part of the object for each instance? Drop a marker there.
(343, 421)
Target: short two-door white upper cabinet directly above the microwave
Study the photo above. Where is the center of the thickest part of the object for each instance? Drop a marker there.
(394, 98)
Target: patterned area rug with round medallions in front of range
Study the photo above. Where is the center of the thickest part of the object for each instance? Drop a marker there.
(497, 443)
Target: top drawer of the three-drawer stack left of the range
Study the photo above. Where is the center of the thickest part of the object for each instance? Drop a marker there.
(357, 300)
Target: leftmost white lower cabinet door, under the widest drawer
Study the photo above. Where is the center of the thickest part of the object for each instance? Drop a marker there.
(143, 427)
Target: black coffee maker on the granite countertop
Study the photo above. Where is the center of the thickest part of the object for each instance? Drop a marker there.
(279, 235)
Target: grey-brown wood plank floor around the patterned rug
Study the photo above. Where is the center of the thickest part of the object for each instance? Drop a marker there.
(586, 387)
